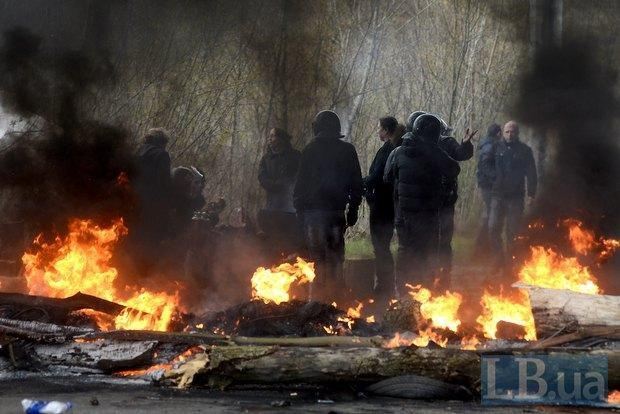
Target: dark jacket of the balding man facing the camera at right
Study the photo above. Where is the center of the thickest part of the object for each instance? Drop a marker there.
(514, 163)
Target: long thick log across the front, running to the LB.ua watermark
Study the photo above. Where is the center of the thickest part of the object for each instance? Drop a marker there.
(268, 365)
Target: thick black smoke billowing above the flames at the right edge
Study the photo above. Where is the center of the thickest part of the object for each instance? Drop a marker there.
(569, 94)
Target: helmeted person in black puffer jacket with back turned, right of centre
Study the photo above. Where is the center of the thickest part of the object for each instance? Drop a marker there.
(417, 168)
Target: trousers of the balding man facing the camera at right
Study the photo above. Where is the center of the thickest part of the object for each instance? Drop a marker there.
(508, 213)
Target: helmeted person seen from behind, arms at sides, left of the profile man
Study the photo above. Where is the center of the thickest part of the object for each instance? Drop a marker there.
(329, 181)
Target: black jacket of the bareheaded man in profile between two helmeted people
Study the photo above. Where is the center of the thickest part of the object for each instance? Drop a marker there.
(379, 194)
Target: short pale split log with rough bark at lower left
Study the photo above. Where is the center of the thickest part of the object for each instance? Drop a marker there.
(103, 355)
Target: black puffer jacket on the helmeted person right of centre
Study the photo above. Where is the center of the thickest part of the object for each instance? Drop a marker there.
(417, 170)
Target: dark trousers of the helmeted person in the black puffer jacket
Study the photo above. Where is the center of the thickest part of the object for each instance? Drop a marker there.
(418, 240)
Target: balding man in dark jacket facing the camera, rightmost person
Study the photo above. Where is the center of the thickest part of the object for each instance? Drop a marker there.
(514, 165)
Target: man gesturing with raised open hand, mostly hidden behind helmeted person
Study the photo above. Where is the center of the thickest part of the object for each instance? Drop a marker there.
(462, 151)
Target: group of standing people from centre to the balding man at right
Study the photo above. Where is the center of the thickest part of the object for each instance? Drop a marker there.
(412, 186)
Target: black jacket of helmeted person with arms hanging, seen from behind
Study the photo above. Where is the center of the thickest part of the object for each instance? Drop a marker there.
(329, 176)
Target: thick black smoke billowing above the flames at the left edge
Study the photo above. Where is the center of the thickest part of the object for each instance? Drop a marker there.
(67, 165)
